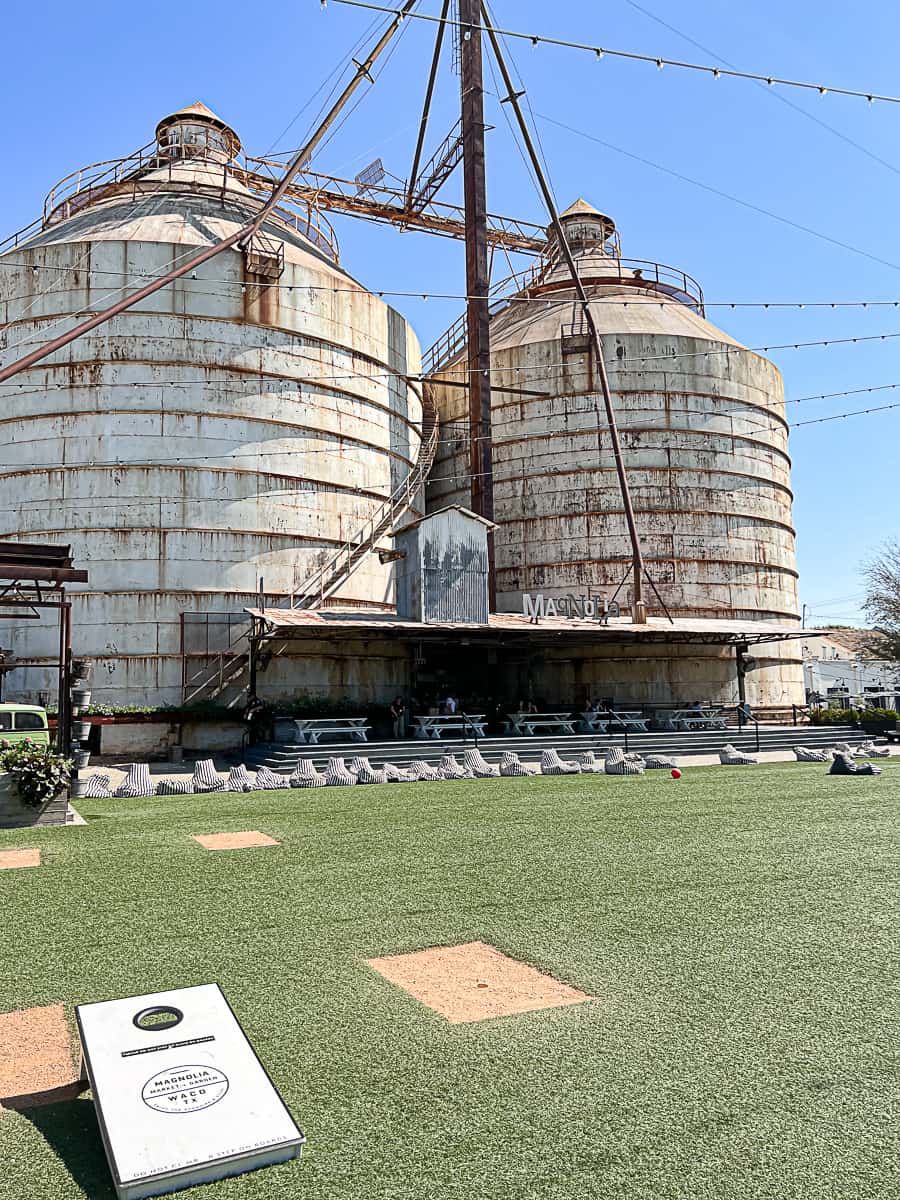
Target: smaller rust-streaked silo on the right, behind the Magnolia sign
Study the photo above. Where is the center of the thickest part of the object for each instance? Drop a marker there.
(705, 443)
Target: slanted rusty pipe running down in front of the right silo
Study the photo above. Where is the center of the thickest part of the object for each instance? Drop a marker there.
(639, 610)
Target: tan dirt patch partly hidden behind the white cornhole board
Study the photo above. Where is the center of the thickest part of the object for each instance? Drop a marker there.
(37, 1059)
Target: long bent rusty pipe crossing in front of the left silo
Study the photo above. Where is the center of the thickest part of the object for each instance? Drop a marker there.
(242, 237)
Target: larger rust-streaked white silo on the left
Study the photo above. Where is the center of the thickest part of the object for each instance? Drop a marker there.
(238, 425)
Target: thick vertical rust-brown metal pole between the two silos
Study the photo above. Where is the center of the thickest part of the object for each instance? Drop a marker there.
(477, 272)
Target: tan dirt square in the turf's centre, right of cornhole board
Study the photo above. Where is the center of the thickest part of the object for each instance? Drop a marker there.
(475, 982)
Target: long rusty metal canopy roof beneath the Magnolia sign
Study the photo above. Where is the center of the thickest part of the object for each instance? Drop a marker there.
(286, 625)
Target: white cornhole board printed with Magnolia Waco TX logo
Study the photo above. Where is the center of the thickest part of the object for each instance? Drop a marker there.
(181, 1095)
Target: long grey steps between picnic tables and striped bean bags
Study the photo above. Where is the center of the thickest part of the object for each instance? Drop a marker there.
(285, 757)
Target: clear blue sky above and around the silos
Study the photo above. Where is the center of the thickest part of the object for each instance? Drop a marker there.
(89, 82)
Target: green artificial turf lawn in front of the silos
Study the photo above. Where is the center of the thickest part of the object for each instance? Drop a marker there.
(739, 929)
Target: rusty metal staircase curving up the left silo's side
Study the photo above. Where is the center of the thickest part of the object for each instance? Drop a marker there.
(229, 673)
